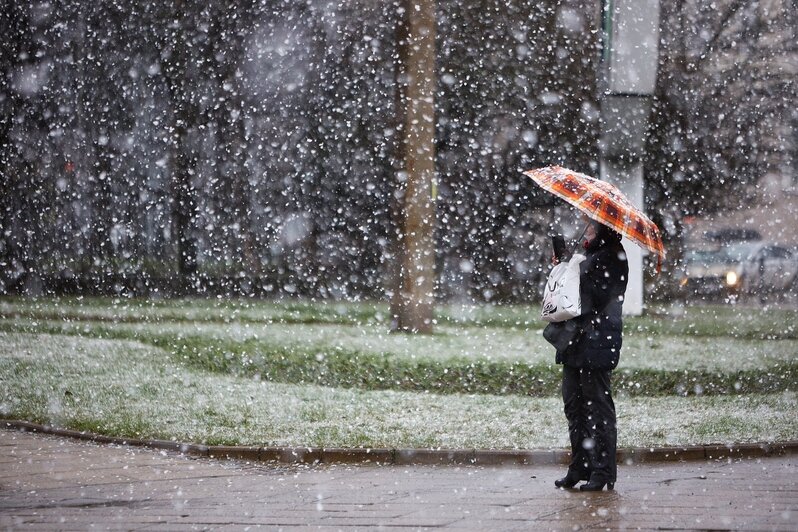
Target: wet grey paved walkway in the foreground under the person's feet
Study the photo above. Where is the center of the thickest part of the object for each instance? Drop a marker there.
(53, 483)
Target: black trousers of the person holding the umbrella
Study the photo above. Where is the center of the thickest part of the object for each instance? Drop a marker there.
(588, 405)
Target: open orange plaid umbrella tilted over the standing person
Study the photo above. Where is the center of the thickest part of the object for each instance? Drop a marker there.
(602, 202)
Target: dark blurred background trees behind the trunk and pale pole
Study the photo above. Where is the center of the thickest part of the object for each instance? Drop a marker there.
(179, 148)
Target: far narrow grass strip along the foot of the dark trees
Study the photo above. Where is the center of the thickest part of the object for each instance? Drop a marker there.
(742, 322)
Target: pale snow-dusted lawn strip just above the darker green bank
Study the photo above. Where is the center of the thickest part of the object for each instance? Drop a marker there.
(641, 350)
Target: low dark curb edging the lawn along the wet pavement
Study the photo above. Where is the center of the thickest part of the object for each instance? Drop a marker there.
(358, 455)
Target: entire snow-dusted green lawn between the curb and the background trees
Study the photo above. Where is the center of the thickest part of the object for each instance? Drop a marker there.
(329, 374)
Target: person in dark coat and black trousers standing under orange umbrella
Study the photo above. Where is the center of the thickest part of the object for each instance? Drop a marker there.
(588, 362)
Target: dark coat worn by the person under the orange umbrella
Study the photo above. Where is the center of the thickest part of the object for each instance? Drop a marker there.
(603, 277)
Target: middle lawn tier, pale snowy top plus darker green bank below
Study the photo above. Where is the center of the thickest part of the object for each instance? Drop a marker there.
(468, 359)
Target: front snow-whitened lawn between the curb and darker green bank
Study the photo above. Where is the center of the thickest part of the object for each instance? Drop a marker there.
(126, 388)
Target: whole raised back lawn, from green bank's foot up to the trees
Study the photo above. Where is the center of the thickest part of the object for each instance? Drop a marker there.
(460, 358)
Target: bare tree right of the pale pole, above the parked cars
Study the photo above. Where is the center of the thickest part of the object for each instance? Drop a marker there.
(723, 102)
